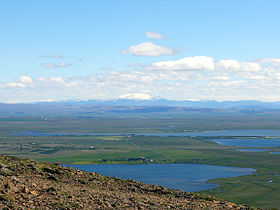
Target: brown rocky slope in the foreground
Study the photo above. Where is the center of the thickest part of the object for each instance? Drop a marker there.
(25, 184)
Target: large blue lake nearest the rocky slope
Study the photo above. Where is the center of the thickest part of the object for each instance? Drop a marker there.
(186, 177)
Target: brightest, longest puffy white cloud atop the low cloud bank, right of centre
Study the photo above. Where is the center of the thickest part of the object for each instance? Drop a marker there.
(187, 63)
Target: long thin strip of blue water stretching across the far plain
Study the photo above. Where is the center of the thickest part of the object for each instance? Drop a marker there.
(274, 133)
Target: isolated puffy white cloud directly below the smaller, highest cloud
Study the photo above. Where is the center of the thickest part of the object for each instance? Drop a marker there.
(148, 49)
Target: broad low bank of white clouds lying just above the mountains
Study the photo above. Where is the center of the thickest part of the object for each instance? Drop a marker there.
(189, 78)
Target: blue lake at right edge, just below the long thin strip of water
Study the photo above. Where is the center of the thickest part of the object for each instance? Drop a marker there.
(248, 142)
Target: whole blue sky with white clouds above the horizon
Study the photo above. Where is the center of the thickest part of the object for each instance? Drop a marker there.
(174, 49)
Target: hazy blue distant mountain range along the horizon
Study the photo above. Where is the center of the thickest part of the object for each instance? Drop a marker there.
(136, 107)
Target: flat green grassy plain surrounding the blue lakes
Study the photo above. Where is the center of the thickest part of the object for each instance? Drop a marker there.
(261, 189)
